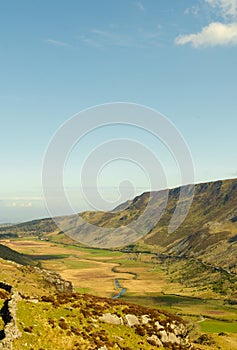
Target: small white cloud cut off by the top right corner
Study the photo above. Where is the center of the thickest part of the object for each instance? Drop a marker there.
(225, 8)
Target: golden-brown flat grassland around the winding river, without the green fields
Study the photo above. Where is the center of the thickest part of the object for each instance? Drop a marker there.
(98, 278)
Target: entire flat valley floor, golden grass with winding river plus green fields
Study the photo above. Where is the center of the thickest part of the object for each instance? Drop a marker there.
(93, 271)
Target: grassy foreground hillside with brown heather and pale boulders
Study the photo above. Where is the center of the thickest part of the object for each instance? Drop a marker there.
(49, 320)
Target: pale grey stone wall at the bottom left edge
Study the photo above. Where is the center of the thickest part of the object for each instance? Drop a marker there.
(8, 313)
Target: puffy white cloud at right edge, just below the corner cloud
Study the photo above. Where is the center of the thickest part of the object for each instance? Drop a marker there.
(214, 34)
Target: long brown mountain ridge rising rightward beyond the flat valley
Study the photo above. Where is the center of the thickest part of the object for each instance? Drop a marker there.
(209, 231)
